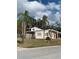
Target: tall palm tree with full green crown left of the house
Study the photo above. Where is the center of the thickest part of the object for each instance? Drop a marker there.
(24, 23)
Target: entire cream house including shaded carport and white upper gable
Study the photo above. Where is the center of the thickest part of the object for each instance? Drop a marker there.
(37, 33)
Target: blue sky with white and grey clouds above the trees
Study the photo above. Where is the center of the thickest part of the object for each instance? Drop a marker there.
(38, 8)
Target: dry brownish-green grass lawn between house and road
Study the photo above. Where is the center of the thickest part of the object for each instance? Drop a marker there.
(38, 43)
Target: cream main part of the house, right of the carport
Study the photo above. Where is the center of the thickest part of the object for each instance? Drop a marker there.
(43, 34)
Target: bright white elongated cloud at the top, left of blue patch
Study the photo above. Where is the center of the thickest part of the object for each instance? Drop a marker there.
(34, 6)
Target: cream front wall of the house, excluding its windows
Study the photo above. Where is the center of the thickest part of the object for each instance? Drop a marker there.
(43, 34)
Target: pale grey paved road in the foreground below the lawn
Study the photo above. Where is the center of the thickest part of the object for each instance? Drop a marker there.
(40, 53)
